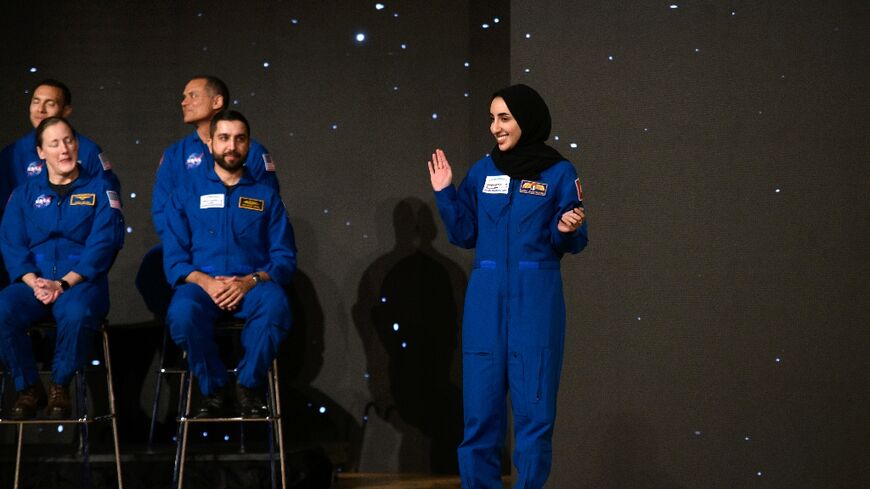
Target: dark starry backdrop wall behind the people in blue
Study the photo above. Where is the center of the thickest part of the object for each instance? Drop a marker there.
(717, 321)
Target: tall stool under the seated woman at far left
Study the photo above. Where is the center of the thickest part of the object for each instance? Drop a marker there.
(80, 416)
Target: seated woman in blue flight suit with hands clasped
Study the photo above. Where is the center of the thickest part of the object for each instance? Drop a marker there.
(59, 236)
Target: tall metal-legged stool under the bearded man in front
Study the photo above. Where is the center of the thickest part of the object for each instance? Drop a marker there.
(273, 418)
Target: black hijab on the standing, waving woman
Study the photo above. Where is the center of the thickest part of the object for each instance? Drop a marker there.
(531, 155)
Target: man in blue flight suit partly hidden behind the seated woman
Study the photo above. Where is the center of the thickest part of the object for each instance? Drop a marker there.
(19, 161)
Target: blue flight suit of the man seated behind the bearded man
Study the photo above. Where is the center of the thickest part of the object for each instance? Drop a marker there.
(185, 159)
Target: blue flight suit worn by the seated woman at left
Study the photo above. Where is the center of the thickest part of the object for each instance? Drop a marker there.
(49, 236)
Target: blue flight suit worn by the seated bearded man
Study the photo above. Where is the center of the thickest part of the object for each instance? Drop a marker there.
(223, 232)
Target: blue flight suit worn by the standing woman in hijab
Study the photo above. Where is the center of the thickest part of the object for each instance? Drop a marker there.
(514, 320)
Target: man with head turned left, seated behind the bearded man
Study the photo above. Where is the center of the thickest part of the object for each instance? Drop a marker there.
(204, 96)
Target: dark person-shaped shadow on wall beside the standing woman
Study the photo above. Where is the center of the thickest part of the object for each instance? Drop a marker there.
(407, 315)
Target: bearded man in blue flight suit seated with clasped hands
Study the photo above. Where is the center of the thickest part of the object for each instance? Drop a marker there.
(228, 251)
